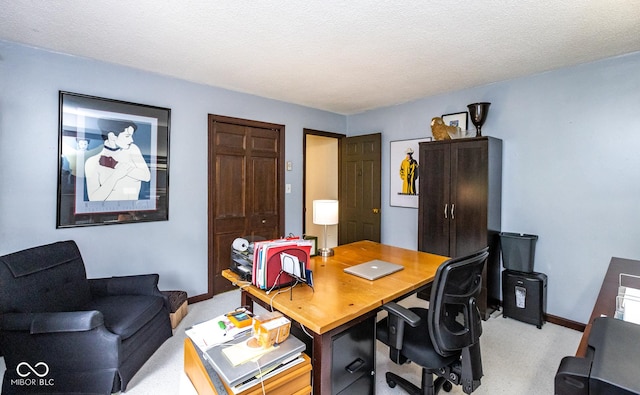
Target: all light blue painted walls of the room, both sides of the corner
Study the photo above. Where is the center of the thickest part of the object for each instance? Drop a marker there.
(571, 169)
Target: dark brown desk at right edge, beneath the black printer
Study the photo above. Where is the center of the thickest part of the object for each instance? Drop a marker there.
(606, 301)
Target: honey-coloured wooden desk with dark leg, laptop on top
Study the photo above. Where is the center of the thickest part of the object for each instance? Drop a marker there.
(339, 300)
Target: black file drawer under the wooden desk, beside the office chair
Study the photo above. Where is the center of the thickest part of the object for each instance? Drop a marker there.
(353, 358)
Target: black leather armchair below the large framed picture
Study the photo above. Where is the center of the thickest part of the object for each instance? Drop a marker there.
(63, 333)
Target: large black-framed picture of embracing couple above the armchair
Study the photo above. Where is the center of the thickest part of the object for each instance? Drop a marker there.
(113, 161)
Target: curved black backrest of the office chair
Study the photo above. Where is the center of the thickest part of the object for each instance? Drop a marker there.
(454, 320)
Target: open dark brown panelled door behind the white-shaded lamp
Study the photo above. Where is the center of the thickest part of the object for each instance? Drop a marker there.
(360, 188)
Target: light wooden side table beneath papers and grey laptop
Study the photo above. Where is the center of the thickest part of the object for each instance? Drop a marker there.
(294, 381)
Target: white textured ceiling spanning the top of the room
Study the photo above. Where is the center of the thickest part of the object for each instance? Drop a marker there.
(342, 56)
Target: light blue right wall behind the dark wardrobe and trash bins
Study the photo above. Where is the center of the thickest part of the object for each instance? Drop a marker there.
(571, 168)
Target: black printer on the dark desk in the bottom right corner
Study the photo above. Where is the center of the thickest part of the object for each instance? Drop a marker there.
(610, 366)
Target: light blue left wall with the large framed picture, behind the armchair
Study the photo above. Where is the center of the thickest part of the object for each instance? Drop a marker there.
(176, 249)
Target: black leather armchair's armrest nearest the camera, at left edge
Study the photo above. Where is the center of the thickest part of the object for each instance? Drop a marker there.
(37, 323)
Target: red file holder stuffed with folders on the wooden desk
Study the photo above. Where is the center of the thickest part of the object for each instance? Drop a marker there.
(267, 264)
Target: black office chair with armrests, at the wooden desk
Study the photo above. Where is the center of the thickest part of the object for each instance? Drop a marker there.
(444, 339)
